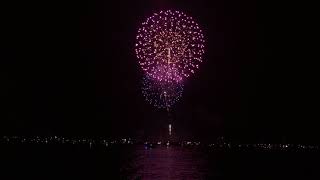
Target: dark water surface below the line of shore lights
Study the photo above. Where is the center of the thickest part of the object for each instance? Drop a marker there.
(136, 162)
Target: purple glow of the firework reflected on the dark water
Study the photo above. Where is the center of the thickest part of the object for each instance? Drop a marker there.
(169, 163)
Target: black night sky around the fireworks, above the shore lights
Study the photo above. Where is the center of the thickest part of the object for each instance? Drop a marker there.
(70, 69)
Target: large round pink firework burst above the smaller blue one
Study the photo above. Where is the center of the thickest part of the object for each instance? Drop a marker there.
(169, 46)
